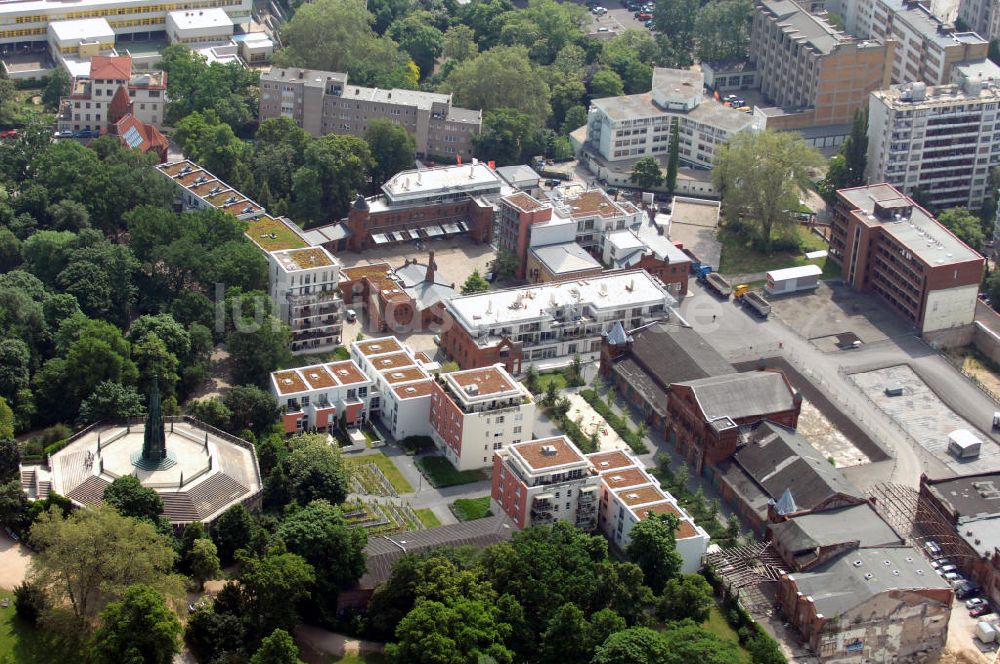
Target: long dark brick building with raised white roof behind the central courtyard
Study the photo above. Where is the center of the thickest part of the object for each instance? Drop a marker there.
(419, 205)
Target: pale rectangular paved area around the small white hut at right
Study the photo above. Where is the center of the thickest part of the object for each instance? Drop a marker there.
(925, 417)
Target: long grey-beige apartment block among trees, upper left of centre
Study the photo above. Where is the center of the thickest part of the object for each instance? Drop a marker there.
(322, 102)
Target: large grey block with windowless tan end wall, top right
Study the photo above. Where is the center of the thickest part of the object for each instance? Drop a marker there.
(814, 74)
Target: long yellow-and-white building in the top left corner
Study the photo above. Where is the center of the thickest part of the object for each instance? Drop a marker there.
(25, 24)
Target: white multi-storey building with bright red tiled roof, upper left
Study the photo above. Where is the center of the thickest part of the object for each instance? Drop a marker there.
(111, 91)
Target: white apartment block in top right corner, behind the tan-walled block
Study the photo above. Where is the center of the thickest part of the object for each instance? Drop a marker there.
(926, 48)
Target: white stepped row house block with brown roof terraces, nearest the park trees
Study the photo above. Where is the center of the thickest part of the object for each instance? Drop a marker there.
(630, 494)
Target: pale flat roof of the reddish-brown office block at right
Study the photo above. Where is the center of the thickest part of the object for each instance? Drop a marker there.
(922, 234)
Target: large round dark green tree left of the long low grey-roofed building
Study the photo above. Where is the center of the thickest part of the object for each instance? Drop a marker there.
(320, 534)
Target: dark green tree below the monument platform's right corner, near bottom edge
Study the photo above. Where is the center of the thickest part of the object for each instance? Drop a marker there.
(272, 585)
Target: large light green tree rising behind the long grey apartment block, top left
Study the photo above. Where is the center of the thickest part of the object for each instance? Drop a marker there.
(336, 35)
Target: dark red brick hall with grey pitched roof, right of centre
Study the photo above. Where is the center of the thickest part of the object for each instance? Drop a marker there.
(704, 416)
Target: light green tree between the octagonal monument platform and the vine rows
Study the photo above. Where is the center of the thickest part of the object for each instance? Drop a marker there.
(316, 471)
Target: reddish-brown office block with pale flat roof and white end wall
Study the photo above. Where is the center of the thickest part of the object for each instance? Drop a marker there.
(886, 243)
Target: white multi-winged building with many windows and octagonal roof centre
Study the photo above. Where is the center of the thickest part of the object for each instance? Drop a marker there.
(631, 126)
